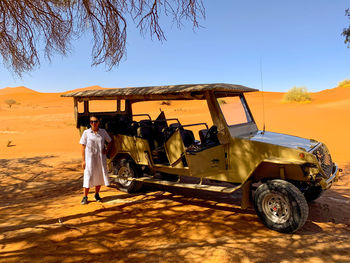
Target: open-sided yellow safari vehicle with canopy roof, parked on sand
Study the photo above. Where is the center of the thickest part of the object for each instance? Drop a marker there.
(222, 151)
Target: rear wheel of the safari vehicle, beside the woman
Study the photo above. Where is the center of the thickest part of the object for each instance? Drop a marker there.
(127, 168)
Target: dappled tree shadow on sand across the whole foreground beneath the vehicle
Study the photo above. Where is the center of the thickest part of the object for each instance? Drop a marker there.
(161, 225)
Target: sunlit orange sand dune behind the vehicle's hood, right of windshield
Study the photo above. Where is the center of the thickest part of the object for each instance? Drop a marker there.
(324, 119)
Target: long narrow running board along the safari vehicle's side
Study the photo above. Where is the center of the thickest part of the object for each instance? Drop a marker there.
(212, 188)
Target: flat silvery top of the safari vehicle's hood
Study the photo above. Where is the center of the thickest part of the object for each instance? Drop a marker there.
(284, 140)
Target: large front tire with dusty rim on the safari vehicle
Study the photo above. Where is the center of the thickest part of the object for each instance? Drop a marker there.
(281, 206)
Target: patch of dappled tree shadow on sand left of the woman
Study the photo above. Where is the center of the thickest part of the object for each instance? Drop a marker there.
(28, 179)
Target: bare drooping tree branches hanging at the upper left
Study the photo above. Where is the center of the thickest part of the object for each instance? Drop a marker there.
(29, 26)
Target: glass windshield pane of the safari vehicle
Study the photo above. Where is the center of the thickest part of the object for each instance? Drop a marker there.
(234, 110)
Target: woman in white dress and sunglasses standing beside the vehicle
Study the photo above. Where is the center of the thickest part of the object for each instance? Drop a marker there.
(94, 158)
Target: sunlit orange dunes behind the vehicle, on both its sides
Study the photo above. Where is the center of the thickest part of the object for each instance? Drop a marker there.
(37, 115)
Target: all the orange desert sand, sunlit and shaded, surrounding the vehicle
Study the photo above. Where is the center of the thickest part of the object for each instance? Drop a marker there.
(41, 219)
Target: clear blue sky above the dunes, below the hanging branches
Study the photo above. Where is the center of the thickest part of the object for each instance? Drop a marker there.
(299, 43)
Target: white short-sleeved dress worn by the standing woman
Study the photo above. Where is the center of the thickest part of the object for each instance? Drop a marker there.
(95, 172)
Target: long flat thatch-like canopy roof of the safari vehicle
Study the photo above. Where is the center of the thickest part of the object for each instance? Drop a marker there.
(173, 92)
